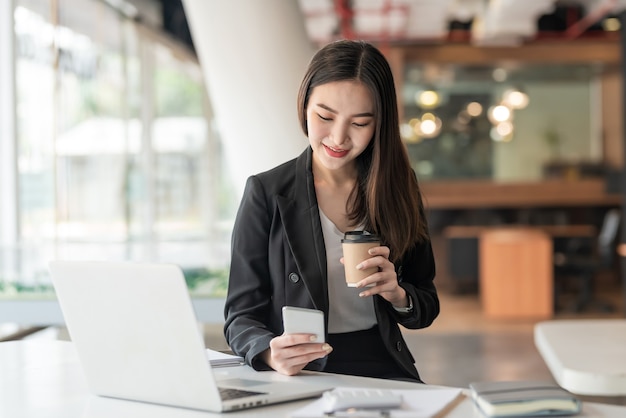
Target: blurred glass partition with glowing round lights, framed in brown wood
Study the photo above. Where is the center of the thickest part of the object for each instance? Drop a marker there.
(505, 123)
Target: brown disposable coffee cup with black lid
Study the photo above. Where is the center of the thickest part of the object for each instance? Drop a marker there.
(355, 245)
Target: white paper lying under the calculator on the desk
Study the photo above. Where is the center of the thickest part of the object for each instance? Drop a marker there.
(416, 403)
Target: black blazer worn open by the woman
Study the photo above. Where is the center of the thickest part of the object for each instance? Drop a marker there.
(279, 258)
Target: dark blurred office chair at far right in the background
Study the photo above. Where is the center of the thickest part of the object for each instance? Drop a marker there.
(583, 263)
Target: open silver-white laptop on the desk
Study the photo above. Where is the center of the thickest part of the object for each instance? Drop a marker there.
(137, 338)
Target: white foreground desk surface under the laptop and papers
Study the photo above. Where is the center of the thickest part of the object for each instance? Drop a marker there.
(43, 378)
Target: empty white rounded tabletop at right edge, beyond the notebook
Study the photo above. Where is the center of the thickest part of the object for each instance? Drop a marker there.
(585, 356)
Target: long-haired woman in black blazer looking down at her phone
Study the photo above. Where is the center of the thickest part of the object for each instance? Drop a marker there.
(286, 246)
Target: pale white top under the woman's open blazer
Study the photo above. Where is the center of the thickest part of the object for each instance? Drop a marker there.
(347, 311)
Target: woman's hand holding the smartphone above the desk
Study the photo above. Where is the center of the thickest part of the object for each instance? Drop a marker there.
(290, 353)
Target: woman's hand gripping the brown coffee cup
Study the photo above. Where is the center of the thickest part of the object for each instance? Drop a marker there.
(385, 281)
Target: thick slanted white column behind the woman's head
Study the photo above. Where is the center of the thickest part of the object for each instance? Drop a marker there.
(253, 55)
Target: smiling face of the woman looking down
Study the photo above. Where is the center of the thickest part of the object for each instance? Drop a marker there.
(340, 123)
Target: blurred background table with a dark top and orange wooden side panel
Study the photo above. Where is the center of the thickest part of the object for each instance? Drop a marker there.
(512, 263)
